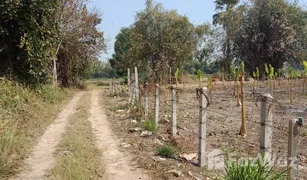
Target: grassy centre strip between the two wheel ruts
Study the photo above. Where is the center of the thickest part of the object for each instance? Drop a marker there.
(77, 156)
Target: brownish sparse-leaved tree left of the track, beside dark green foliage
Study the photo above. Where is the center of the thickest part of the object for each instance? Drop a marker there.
(79, 41)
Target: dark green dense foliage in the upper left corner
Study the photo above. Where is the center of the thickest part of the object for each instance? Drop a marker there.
(27, 34)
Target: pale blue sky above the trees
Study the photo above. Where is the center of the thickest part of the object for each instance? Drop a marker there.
(121, 13)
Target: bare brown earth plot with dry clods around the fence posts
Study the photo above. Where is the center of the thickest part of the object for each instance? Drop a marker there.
(223, 125)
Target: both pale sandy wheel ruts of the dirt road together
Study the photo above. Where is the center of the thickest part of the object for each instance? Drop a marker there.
(116, 162)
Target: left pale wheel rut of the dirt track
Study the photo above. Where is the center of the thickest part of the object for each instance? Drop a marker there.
(41, 158)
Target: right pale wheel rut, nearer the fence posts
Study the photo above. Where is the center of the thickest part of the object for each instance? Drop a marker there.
(116, 162)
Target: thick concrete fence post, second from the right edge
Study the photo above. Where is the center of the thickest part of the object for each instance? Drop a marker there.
(266, 132)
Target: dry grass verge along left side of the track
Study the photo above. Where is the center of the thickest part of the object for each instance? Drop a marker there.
(24, 116)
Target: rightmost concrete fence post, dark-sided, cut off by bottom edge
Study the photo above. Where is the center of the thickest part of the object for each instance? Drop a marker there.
(293, 142)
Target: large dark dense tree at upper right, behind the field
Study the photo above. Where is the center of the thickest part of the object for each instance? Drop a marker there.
(267, 35)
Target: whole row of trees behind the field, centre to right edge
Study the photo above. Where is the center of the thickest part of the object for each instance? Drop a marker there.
(254, 32)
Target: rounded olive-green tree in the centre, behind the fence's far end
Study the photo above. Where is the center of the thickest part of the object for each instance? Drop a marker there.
(162, 39)
